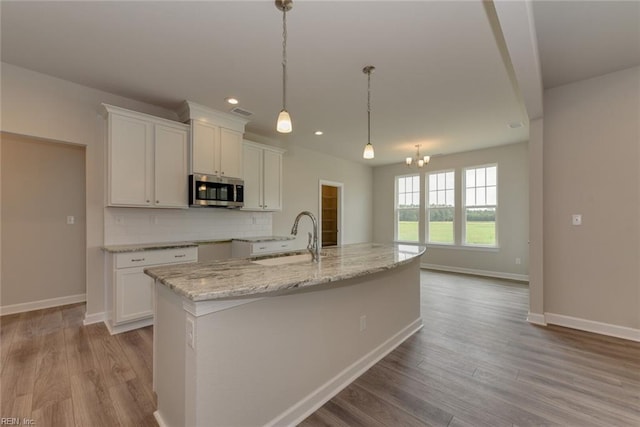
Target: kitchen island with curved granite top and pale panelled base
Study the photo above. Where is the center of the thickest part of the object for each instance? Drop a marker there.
(246, 342)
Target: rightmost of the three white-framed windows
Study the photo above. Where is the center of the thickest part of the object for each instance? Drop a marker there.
(481, 190)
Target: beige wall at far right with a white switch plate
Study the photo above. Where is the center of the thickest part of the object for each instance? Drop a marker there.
(591, 167)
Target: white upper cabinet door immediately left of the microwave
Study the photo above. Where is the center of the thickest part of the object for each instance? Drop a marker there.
(171, 167)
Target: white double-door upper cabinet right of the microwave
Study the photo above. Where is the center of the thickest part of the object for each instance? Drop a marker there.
(262, 177)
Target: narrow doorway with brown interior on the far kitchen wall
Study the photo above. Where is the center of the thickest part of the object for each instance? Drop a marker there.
(330, 213)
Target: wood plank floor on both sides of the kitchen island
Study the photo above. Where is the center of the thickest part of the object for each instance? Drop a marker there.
(476, 362)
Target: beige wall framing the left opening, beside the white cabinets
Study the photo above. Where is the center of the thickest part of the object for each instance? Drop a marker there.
(45, 107)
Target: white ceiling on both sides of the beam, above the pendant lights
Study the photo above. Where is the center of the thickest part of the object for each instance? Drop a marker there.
(440, 79)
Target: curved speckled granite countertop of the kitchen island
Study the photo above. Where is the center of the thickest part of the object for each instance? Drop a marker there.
(243, 277)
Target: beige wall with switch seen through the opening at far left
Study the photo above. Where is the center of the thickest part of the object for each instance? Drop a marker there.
(43, 257)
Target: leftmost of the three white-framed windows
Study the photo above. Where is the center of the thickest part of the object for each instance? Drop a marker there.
(407, 207)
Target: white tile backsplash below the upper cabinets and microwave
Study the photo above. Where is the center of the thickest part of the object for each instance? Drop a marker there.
(123, 226)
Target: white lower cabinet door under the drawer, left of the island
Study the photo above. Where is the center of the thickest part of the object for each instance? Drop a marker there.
(134, 295)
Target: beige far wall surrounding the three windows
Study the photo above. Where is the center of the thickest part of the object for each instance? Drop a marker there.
(513, 211)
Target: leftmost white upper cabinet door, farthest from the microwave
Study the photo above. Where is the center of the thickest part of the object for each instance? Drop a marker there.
(130, 161)
